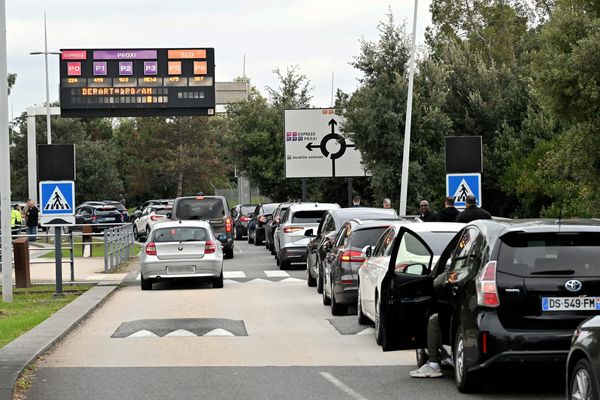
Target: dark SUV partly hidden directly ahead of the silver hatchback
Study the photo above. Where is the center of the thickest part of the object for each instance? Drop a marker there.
(213, 209)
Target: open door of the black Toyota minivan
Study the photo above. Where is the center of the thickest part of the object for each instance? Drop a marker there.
(407, 293)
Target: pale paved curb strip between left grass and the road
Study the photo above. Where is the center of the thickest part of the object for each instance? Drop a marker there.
(19, 353)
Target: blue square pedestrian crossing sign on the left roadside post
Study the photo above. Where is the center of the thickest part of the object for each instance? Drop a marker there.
(57, 198)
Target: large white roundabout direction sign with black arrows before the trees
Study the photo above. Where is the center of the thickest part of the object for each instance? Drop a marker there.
(315, 147)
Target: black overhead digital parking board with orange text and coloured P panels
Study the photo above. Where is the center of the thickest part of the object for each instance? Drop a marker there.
(137, 82)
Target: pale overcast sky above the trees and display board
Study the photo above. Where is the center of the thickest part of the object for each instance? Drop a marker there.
(320, 37)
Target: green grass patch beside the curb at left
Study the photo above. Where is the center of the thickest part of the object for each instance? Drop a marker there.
(32, 306)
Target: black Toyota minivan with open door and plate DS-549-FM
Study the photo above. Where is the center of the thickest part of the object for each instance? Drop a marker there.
(505, 292)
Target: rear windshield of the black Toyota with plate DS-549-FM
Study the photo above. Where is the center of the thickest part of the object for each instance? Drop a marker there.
(557, 253)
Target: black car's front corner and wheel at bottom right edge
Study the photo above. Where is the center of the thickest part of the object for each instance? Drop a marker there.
(583, 364)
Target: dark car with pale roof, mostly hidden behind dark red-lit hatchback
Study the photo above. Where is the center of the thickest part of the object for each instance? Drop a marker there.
(322, 239)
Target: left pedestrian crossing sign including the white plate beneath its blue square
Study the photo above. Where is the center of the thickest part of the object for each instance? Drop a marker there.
(57, 202)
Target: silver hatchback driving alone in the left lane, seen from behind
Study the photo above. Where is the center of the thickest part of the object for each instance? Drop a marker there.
(181, 249)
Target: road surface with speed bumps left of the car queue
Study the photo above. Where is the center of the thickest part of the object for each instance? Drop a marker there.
(265, 335)
